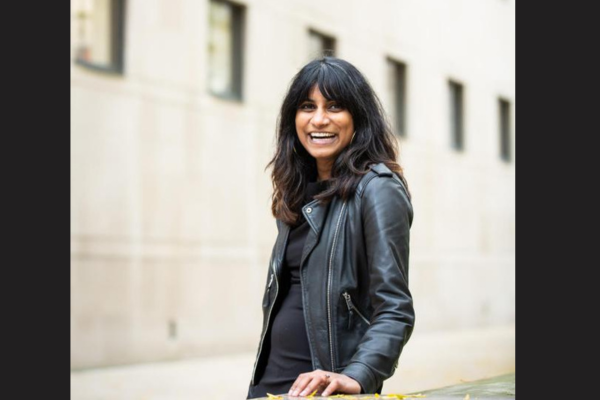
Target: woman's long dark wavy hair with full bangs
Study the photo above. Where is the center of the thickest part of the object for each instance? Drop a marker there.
(373, 143)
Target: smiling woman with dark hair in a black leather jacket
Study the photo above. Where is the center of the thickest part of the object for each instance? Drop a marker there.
(337, 308)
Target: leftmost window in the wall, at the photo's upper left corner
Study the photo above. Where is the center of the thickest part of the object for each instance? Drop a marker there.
(99, 34)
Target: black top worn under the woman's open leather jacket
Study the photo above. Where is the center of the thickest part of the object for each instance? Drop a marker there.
(286, 342)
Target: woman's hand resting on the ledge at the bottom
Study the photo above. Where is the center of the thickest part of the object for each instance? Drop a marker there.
(318, 379)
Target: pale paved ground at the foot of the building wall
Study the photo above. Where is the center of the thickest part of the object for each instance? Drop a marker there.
(429, 361)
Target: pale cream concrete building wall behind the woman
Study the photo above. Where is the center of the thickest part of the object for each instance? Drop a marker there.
(171, 228)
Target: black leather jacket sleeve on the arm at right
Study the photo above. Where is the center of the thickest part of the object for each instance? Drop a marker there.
(387, 216)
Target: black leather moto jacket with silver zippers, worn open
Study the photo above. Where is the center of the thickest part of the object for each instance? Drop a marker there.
(354, 273)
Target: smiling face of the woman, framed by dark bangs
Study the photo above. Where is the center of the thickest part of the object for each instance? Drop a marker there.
(323, 127)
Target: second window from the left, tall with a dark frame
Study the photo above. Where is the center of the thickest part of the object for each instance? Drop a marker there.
(225, 49)
